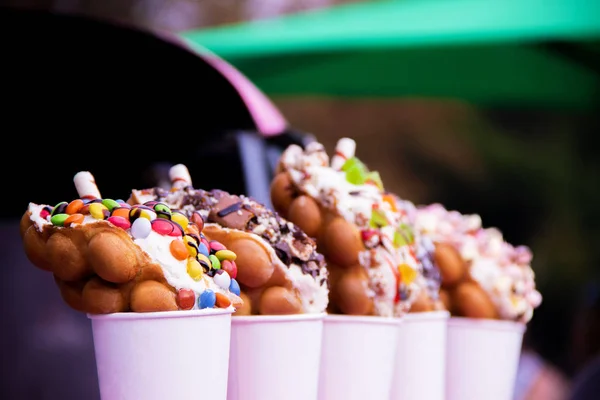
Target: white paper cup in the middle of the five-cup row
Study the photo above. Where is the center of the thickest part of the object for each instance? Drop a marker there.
(357, 358)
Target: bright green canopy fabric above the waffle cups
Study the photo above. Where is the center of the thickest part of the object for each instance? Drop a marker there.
(483, 51)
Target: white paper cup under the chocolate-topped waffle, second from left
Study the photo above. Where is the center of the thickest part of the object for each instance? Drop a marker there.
(275, 357)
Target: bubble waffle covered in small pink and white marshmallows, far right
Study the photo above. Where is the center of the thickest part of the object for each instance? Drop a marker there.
(482, 275)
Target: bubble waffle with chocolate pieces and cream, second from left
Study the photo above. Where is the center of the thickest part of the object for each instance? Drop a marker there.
(277, 266)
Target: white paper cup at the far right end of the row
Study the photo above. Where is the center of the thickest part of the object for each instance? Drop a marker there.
(482, 359)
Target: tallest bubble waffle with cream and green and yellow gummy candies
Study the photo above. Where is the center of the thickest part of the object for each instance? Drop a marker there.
(358, 226)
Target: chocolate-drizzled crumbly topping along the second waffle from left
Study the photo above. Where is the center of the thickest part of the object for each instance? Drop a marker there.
(291, 244)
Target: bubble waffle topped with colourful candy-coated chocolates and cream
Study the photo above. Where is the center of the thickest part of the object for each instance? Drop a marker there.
(108, 256)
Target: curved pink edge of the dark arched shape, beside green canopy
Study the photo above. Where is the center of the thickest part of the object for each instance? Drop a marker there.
(268, 119)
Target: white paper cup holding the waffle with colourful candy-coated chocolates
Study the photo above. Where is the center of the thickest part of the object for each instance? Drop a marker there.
(162, 355)
